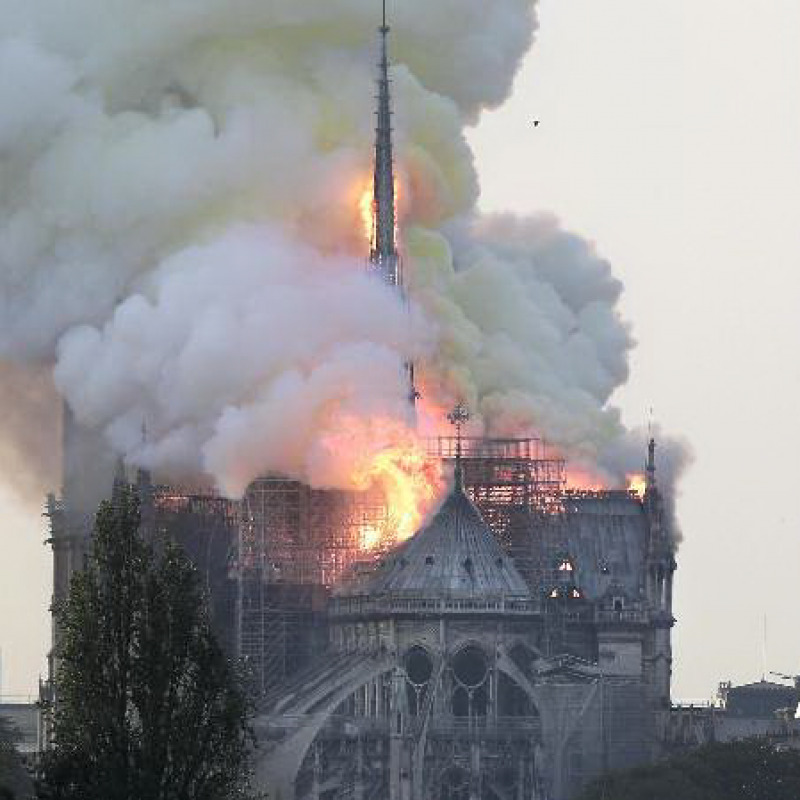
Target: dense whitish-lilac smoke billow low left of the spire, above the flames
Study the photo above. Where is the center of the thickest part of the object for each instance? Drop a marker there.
(242, 351)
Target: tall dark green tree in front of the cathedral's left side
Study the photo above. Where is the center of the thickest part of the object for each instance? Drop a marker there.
(147, 706)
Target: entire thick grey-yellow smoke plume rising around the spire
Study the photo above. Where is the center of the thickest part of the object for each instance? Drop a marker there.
(180, 234)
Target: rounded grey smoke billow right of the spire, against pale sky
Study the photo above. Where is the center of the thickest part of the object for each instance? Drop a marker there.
(533, 338)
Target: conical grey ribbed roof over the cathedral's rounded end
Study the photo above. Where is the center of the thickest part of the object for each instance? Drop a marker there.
(455, 553)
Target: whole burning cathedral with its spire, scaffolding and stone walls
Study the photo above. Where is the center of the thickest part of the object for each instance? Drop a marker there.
(515, 646)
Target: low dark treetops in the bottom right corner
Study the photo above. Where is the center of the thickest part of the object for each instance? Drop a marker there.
(749, 770)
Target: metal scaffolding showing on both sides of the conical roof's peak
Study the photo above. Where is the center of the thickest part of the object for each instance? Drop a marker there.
(296, 542)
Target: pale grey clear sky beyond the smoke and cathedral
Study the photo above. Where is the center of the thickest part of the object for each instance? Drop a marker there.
(669, 135)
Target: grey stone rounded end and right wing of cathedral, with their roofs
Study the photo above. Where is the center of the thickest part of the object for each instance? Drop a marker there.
(447, 676)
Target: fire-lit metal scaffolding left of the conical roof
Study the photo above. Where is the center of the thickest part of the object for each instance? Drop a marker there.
(294, 543)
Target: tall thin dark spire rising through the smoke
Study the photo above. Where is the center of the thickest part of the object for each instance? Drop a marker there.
(383, 255)
